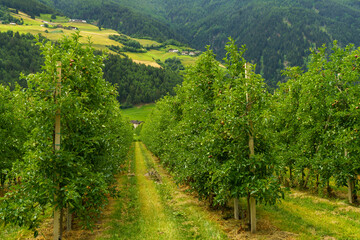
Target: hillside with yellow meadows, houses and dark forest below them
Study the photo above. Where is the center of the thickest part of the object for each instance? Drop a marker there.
(141, 77)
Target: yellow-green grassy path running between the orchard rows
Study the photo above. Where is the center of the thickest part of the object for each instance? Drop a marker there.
(152, 206)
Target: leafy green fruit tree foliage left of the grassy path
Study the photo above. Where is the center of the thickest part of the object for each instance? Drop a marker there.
(94, 139)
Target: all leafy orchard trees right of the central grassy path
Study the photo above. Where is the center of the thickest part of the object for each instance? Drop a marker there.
(227, 137)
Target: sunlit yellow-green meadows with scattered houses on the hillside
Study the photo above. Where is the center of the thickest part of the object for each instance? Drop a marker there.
(99, 38)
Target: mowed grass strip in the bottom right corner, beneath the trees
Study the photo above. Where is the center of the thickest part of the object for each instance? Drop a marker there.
(315, 218)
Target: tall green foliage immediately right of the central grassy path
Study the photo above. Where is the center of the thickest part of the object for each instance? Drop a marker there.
(203, 133)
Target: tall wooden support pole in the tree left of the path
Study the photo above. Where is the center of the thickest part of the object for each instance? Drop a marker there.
(57, 142)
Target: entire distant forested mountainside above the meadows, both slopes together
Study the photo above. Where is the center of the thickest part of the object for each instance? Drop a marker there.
(277, 33)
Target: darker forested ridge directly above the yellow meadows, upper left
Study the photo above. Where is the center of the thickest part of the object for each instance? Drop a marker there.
(111, 14)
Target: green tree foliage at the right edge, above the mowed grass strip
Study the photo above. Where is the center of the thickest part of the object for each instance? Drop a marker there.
(317, 117)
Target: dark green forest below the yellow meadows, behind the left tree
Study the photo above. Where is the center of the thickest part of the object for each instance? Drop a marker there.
(136, 83)
